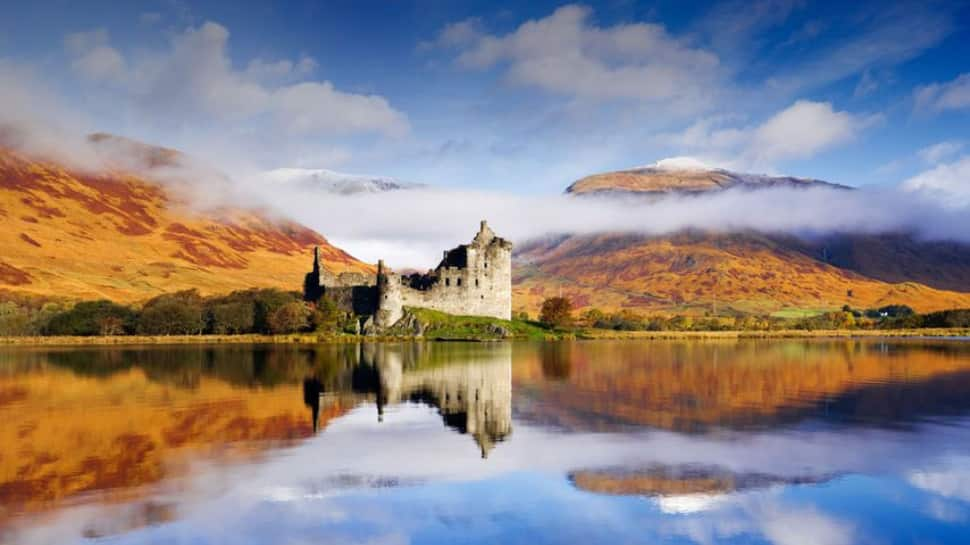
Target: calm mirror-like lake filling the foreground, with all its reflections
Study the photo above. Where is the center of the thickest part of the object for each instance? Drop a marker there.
(785, 442)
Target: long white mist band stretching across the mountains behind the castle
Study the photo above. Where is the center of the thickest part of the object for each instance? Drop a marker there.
(410, 228)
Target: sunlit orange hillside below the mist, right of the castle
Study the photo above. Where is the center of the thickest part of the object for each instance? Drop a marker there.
(746, 272)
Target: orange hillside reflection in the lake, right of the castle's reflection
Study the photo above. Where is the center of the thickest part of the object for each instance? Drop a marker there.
(693, 386)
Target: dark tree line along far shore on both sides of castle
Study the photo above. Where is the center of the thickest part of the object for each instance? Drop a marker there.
(274, 311)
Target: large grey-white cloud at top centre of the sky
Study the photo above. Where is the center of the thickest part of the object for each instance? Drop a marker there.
(566, 53)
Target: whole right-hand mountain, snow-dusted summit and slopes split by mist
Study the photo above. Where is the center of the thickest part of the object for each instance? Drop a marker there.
(741, 271)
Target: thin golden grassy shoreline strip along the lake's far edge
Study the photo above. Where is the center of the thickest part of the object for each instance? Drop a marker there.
(311, 338)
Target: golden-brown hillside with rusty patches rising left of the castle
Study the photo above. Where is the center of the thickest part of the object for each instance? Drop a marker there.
(119, 236)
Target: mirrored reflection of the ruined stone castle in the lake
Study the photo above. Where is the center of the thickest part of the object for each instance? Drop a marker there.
(470, 386)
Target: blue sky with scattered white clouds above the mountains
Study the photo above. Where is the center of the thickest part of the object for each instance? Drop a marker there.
(510, 96)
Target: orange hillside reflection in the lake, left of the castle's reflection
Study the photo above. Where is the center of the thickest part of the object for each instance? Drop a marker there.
(108, 421)
